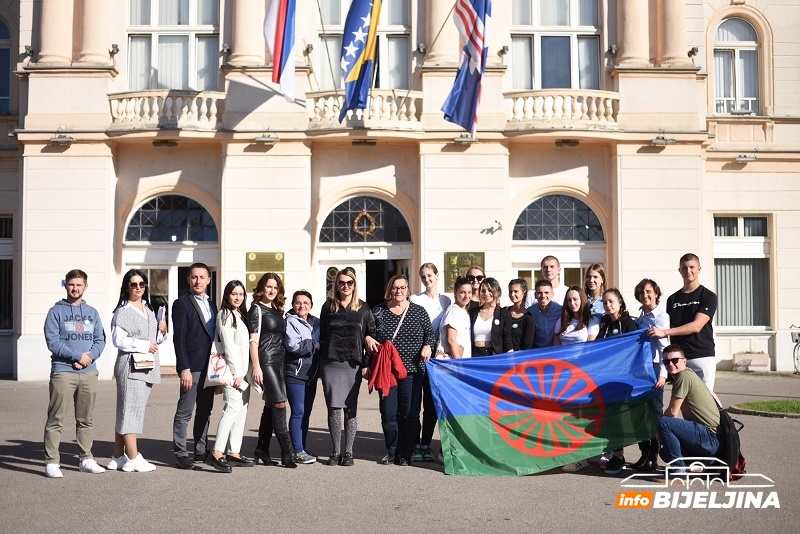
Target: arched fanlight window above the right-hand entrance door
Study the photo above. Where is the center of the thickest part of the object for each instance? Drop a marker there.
(558, 218)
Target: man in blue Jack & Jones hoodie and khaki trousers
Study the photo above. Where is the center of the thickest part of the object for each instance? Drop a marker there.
(75, 338)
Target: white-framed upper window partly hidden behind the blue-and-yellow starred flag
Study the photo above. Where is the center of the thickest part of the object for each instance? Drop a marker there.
(393, 47)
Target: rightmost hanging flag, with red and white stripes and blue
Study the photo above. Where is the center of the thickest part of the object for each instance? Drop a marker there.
(473, 18)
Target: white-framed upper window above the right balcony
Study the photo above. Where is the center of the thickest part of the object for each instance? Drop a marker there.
(555, 44)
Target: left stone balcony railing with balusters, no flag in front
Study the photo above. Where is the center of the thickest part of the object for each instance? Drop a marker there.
(166, 109)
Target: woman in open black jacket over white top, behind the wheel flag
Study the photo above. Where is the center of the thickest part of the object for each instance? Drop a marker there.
(490, 323)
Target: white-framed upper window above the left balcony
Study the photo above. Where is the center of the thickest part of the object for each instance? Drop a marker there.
(173, 44)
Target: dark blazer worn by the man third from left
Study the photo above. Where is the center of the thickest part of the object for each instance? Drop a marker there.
(190, 335)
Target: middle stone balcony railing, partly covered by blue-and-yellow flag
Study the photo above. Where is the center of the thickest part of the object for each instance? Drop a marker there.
(386, 108)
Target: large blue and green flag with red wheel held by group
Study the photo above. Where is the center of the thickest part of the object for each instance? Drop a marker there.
(530, 411)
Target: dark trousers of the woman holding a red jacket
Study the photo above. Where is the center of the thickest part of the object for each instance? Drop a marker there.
(400, 415)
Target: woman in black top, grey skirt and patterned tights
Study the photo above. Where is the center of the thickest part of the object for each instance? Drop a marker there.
(346, 329)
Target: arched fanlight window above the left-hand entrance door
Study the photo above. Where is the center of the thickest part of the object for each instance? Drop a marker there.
(171, 218)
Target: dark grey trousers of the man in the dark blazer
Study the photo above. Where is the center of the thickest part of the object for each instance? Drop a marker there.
(204, 399)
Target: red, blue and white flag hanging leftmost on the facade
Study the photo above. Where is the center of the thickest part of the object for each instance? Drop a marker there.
(279, 33)
